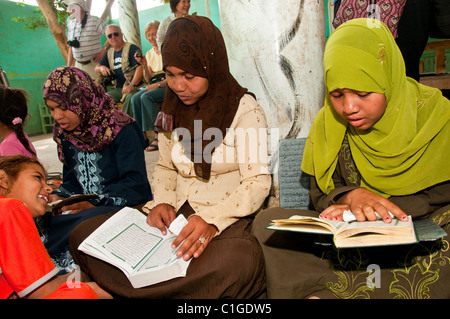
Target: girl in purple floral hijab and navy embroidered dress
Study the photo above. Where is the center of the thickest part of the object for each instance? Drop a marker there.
(101, 150)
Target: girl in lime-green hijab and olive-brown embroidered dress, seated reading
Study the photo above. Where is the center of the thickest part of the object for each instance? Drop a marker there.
(379, 144)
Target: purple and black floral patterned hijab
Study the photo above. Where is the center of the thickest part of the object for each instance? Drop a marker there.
(100, 120)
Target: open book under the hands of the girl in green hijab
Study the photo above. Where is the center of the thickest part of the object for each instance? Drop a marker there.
(362, 234)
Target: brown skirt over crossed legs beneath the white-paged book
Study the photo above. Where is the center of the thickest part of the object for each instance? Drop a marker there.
(232, 266)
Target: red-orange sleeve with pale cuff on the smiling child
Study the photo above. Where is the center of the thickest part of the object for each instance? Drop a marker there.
(24, 261)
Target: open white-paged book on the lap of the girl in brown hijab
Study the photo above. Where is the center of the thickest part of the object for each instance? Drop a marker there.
(143, 254)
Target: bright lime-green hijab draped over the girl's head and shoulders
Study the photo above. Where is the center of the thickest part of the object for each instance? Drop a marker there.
(407, 149)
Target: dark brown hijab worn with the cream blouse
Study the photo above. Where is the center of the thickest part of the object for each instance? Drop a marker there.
(195, 45)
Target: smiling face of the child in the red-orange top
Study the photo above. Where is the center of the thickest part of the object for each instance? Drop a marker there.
(31, 188)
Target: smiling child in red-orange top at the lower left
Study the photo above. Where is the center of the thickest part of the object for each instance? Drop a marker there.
(26, 269)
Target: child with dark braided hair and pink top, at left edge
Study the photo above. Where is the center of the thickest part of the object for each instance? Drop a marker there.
(13, 112)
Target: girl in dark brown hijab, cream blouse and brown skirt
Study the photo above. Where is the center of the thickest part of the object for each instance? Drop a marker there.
(213, 169)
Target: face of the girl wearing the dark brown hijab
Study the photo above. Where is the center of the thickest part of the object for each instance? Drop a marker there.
(189, 88)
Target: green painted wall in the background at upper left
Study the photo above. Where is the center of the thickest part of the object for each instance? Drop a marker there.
(28, 56)
